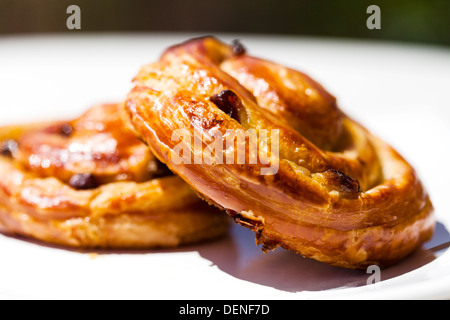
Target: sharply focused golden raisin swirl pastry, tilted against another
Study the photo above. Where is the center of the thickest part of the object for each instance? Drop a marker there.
(337, 194)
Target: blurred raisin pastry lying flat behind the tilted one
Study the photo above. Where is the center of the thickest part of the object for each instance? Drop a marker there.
(91, 183)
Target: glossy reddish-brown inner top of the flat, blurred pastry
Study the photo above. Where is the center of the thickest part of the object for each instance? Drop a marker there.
(97, 143)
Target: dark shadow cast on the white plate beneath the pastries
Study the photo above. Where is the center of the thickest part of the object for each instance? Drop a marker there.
(238, 256)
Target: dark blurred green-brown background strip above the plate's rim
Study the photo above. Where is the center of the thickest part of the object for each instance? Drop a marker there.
(419, 21)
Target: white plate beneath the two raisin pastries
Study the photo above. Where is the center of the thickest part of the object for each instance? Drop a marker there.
(400, 92)
